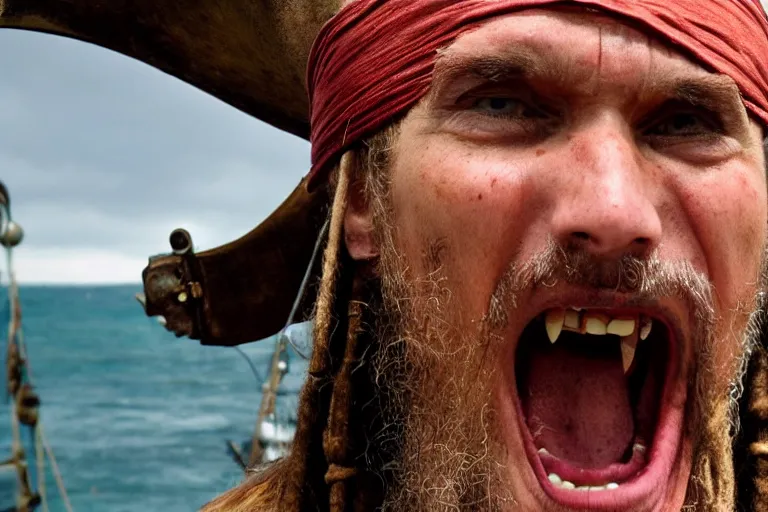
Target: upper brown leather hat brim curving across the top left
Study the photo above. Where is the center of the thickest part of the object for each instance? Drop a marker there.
(251, 54)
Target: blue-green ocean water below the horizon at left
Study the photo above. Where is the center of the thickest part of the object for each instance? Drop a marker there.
(137, 418)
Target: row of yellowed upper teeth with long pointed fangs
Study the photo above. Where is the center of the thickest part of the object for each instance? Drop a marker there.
(600, 323)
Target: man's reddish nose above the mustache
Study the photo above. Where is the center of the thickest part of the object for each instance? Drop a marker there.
(603, 205)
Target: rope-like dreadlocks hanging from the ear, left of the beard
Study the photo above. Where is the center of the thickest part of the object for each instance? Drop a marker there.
(326, 462)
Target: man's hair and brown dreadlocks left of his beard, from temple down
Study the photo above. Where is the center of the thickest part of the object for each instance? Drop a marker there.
(326, 470)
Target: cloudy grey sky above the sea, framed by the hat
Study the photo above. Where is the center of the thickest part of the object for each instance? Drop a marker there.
(104, 156)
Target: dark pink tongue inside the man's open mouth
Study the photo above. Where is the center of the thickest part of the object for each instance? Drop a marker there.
(577, 403)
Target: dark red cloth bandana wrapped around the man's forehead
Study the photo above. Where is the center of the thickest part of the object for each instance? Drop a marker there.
(373, 61)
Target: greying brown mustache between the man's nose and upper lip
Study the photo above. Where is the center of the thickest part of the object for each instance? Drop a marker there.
(646, 278)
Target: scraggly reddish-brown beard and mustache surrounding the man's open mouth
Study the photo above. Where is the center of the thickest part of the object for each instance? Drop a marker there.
(436, 377)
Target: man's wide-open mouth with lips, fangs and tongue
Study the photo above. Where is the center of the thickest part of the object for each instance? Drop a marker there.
(592, 386)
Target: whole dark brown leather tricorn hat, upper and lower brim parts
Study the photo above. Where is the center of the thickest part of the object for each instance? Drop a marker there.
(251, 54)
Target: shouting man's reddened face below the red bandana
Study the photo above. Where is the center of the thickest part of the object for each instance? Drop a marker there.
(571, 132)
